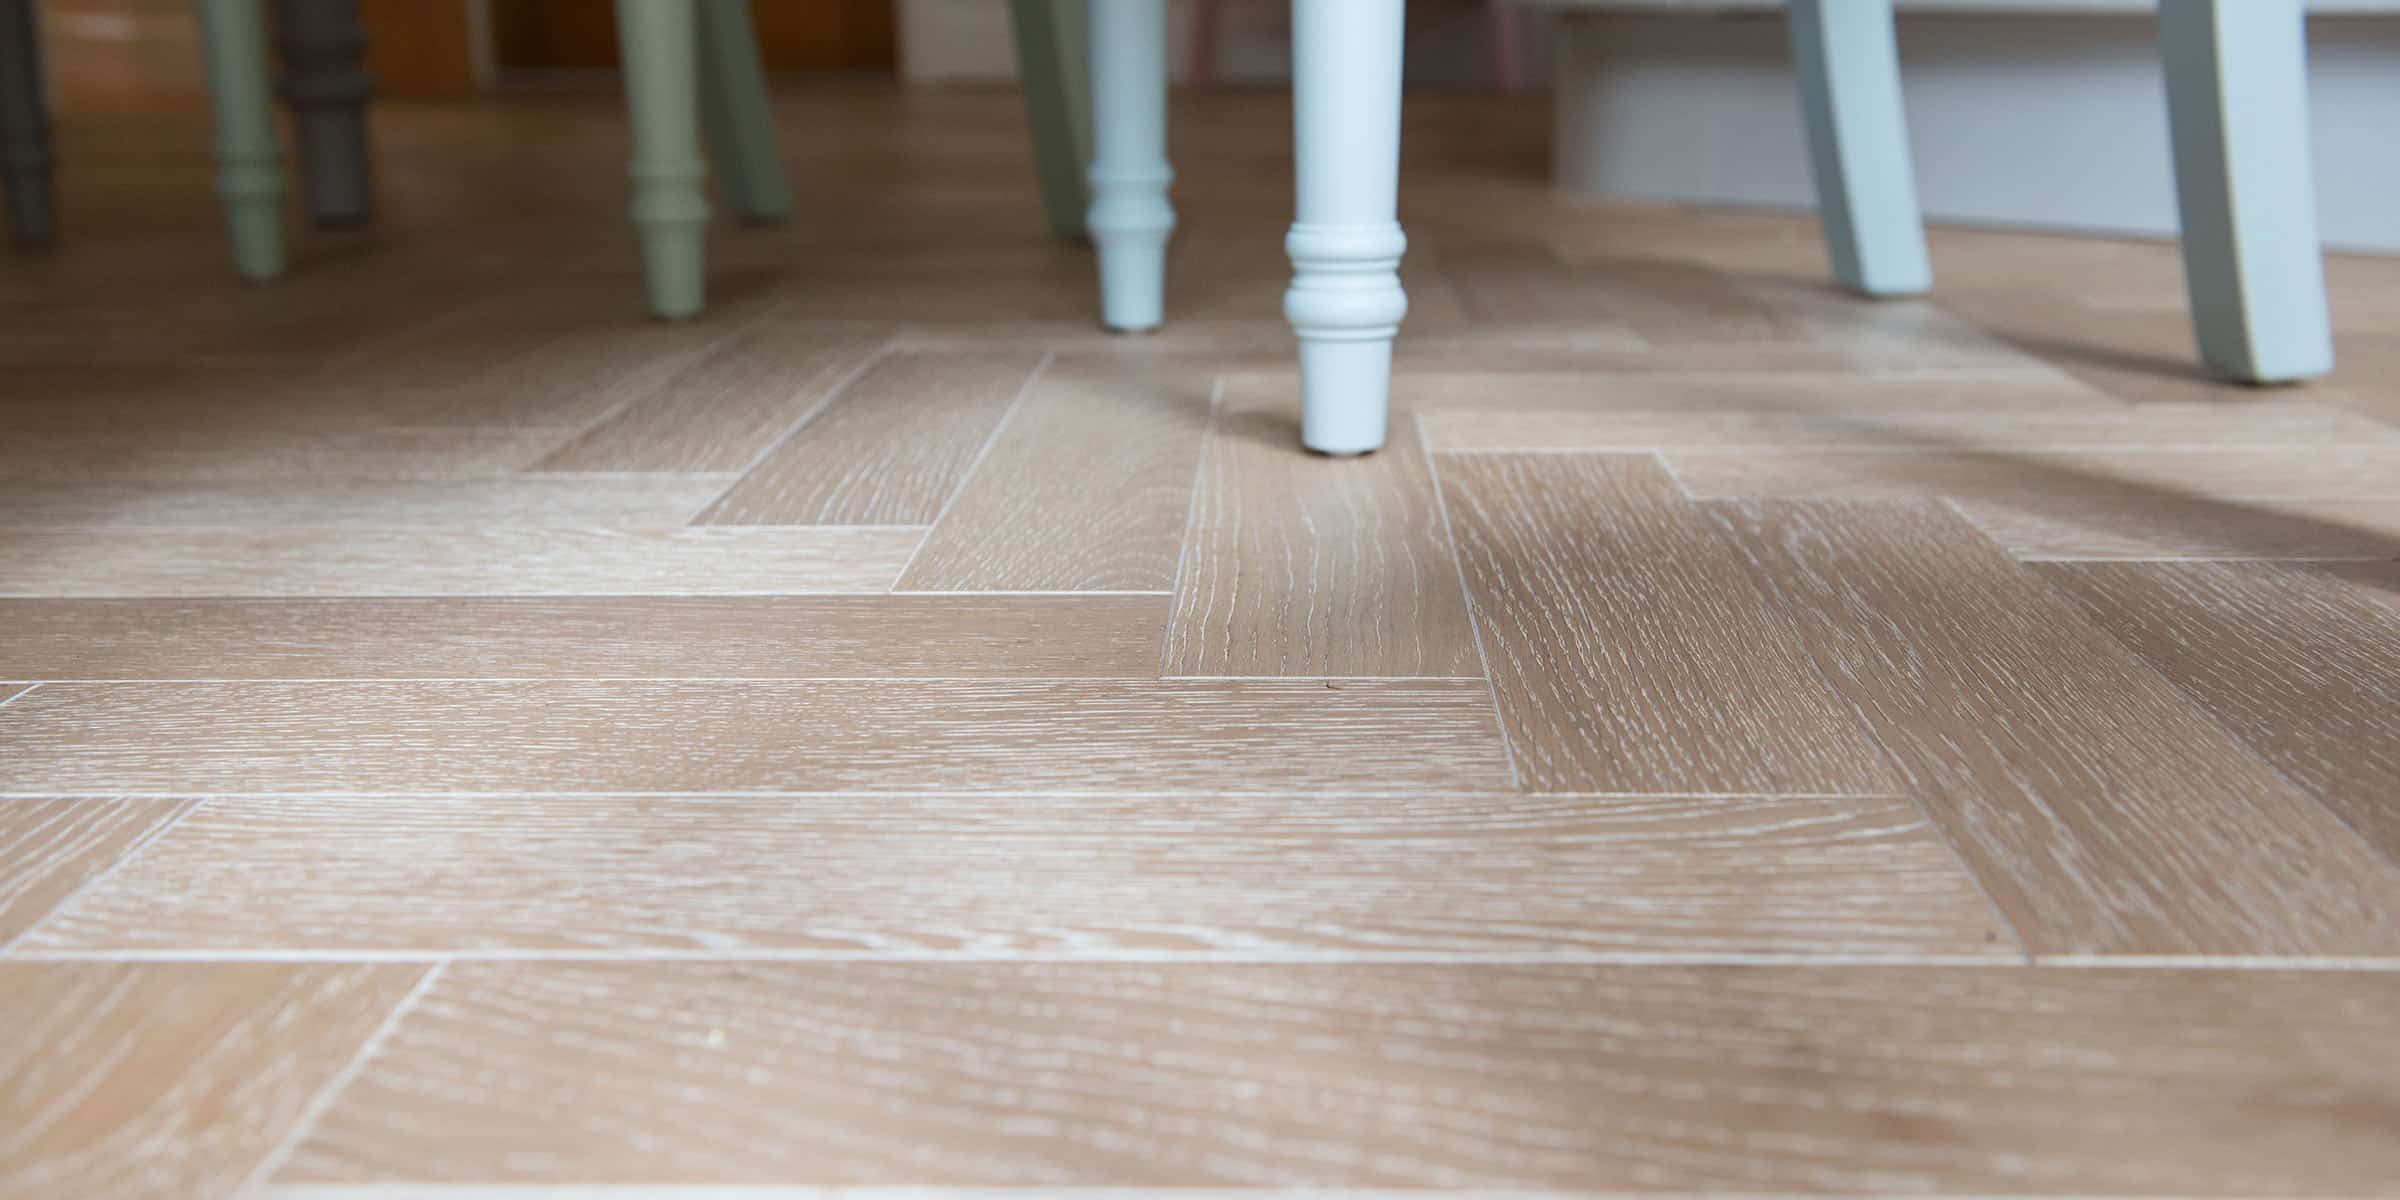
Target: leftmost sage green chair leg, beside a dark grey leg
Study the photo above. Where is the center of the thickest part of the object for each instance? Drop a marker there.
(248, 167)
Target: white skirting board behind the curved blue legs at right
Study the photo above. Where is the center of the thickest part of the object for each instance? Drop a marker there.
(2015, 121)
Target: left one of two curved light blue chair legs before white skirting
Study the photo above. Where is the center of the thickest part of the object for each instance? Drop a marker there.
(1849, 71)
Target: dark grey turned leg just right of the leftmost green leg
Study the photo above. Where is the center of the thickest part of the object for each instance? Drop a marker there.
(328, 88)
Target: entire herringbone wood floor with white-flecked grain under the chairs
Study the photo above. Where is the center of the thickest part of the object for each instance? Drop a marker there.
(1734, 740)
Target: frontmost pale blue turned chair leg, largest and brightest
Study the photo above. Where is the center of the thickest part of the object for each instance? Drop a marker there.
(1345, 246)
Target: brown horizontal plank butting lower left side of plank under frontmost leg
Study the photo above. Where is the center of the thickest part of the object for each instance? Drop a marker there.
(584, 637)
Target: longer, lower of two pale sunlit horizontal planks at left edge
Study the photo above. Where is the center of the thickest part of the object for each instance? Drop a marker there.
(455, 563)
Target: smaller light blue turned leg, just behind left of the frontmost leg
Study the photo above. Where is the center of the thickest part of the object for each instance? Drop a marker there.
(1129, 220)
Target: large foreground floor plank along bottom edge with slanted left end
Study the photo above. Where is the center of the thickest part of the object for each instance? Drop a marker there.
(1981, 1081)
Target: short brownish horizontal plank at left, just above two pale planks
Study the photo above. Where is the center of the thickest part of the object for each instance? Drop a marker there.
(268, 455)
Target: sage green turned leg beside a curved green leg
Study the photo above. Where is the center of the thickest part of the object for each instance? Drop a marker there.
(671, 193)
